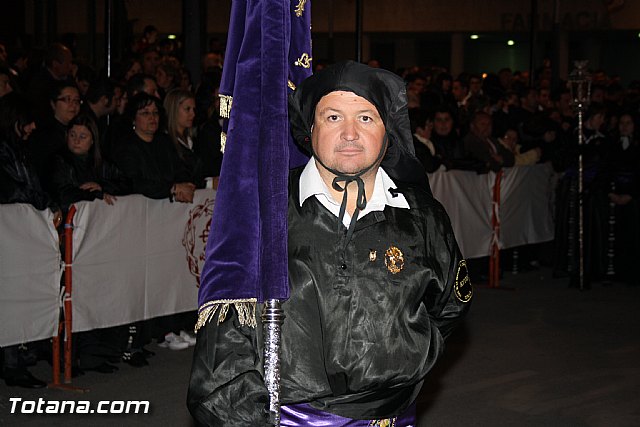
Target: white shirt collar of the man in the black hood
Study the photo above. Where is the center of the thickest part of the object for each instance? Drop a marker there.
(311, 184)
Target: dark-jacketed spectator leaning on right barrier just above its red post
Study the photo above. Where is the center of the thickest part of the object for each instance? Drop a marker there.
(481, 146)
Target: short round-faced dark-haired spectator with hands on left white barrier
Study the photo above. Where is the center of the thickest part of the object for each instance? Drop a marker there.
(78, 169)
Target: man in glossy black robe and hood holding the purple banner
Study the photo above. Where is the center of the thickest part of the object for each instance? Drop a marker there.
(376, 279)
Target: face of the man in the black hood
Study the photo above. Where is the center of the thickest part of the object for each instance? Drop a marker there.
(347, 133)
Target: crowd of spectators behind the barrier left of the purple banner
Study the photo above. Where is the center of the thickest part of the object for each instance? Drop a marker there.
(69, 133)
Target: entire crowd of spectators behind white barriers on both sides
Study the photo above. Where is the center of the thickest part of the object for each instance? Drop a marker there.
(69, 133)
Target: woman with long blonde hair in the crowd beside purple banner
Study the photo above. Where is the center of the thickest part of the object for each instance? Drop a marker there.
(180, 106)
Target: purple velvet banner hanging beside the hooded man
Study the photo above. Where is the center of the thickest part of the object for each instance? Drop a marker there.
(246, 254)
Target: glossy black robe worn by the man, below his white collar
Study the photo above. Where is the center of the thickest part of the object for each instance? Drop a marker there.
(358, 340)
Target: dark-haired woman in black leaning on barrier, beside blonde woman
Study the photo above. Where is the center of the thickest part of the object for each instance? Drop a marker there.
(148, 158)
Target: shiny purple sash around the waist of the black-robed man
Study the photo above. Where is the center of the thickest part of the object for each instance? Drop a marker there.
(304, 415)
